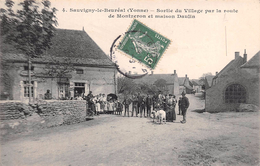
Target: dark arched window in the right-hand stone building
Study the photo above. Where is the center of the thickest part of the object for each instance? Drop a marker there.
(235, 93)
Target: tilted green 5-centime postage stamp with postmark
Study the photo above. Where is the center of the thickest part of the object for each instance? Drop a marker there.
(144, 44)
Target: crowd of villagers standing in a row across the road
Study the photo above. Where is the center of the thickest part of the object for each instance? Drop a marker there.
(142, 105)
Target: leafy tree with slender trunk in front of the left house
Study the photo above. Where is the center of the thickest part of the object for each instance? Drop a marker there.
(29, 29)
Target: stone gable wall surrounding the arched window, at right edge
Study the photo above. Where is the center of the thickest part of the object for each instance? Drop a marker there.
(215, 101)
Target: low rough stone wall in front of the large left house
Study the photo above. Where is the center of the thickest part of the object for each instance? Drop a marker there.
(19, 117)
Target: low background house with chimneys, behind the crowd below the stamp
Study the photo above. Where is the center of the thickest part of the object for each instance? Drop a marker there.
(168, 81)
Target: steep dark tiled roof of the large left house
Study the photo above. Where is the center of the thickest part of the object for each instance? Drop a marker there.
(75, 44)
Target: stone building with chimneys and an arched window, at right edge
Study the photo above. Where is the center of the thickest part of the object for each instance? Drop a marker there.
(236, 83)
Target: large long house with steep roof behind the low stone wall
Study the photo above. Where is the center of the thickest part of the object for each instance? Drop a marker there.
(91, 69)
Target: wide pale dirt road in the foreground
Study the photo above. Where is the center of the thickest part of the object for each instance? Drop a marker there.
(206, 139)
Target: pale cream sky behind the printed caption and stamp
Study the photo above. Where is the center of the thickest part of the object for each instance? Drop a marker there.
(199, 45)
